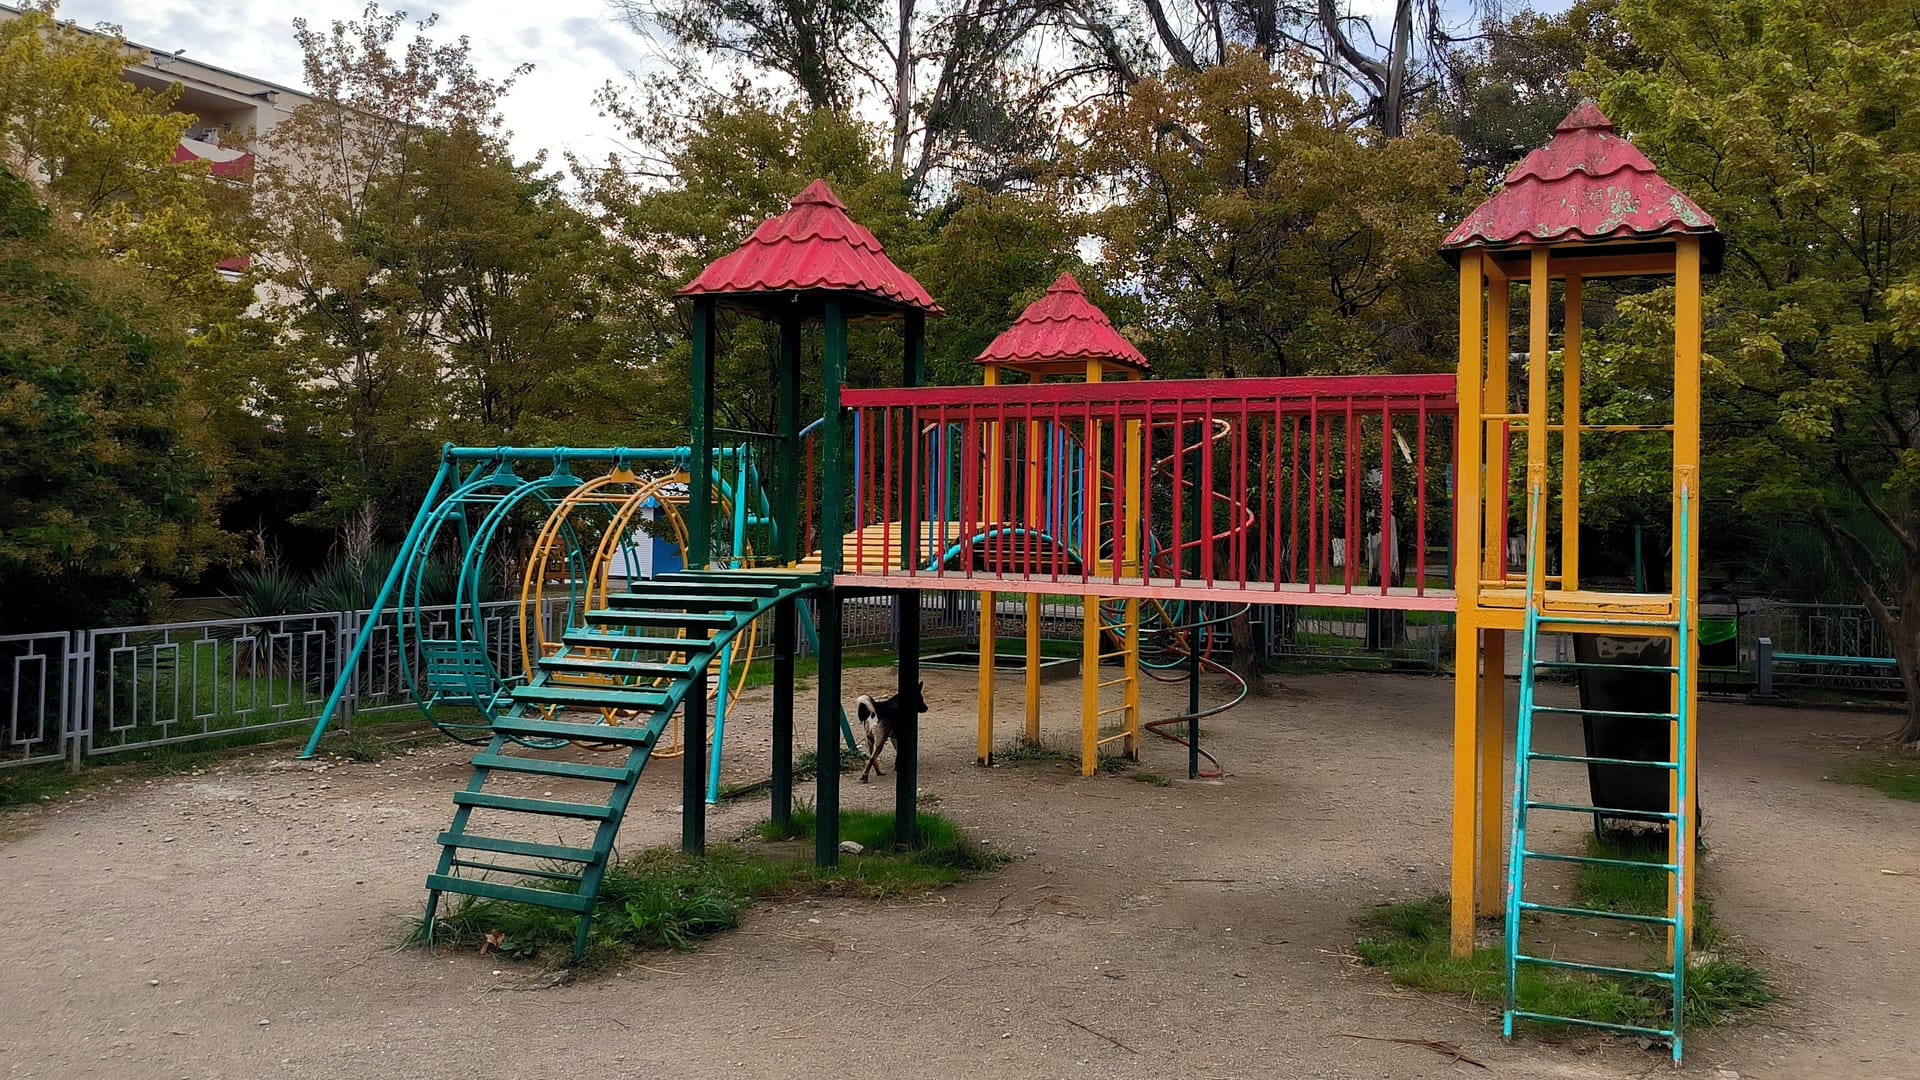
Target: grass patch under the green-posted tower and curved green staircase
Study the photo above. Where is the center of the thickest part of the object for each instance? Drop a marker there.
(665, 900)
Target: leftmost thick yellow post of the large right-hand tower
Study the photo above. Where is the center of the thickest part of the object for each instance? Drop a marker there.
(1466, 587)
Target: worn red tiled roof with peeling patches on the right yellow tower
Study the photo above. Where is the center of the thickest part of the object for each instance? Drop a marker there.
(1587, 184)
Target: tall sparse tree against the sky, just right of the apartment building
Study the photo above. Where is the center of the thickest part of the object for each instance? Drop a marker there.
(356, 330)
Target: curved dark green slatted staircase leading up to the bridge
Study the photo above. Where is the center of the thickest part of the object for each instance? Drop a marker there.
(640, 658)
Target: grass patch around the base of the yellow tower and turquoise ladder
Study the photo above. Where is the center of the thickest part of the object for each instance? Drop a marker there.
(1412, 945)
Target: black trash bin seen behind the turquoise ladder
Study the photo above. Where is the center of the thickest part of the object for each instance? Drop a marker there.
(1639, 687)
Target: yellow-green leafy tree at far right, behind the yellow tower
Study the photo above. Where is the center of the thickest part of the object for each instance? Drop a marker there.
(1794, 124)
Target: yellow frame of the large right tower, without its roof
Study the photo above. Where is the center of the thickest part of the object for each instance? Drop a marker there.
(1491, 595)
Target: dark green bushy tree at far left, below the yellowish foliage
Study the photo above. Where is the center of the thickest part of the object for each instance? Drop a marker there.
(107, 481)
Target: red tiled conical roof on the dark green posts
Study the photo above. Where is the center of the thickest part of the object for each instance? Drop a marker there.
(813, 249)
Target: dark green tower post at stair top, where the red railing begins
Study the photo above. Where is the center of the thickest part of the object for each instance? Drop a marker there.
(832, 529)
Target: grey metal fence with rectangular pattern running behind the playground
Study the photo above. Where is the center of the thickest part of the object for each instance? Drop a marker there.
(76, 697)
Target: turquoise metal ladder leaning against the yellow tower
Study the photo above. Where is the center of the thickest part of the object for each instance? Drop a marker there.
(1677, 816)
